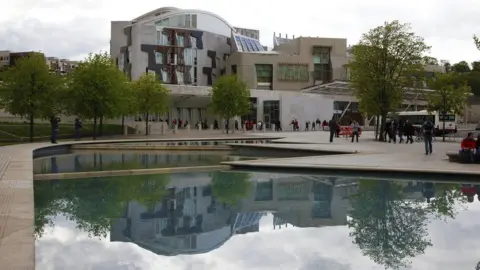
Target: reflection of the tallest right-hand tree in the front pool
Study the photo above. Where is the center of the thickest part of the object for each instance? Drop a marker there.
(386, 227)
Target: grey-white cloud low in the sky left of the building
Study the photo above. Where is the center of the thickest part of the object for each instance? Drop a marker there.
(79, 36)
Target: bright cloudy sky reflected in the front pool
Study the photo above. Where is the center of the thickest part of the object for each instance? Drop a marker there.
(455, 246)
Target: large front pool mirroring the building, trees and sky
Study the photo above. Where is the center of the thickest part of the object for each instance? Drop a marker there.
(233, 220)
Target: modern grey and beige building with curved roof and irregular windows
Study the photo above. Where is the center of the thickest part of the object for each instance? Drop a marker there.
(303, 78)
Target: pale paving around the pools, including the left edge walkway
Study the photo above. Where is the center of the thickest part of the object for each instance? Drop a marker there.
(17, 244)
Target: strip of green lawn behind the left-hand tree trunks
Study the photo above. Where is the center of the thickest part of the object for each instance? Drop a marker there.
(17, 132)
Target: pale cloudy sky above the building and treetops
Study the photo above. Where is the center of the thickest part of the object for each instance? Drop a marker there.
(73, 28)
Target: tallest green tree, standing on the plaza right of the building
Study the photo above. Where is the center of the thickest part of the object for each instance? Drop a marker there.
(384, 60)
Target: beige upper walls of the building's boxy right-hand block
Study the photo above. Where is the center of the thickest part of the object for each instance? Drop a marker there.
(297, 51)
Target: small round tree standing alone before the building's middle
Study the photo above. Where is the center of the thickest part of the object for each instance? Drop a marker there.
(150, 96)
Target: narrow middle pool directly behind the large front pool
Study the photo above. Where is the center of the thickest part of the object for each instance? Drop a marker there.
(84, 161)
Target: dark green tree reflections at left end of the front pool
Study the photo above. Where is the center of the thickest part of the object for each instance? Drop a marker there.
(92, 203)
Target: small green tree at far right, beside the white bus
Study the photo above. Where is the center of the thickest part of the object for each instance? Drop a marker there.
(449, 96)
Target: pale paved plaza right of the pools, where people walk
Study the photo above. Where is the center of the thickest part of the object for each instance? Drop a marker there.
(371, 155)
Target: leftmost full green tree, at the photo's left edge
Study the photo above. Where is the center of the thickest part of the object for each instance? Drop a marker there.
(29, 89)
